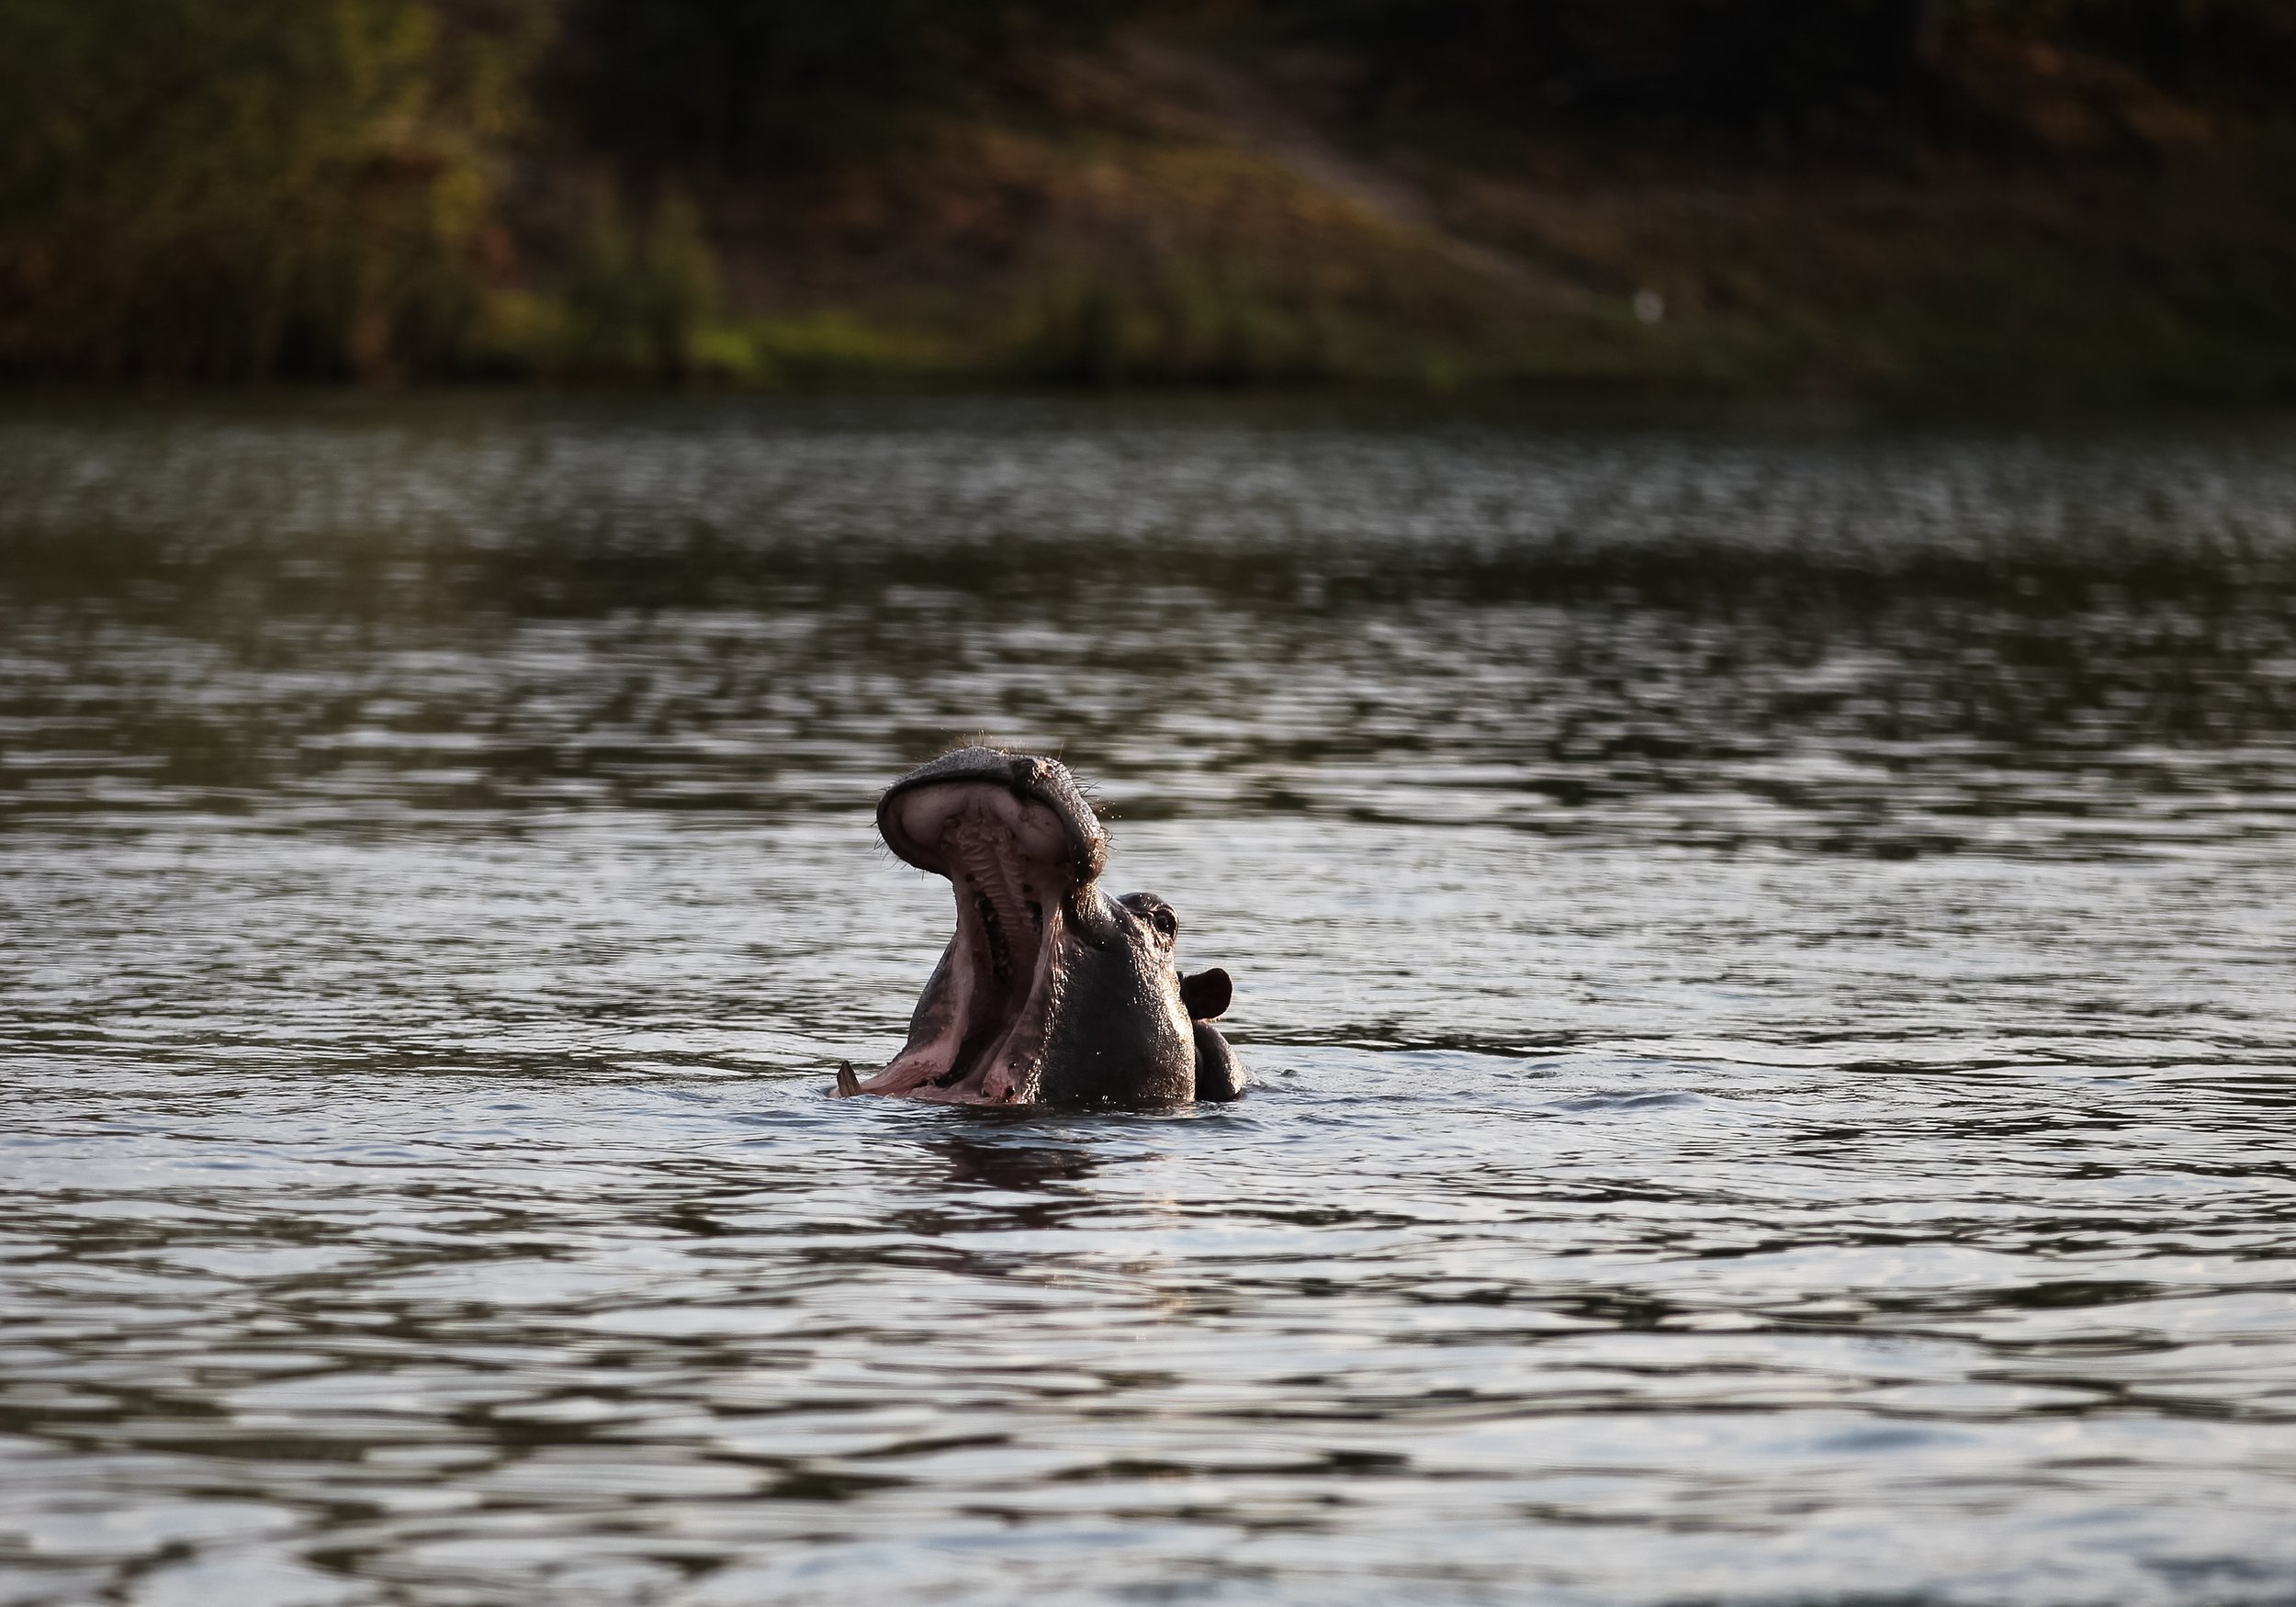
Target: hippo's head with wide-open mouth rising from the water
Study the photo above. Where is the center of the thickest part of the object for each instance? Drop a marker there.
(1050, 993)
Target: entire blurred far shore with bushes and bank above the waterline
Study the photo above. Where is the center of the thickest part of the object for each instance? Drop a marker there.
(1967, 199)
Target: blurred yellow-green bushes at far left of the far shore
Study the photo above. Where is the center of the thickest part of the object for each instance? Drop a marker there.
(215, 189)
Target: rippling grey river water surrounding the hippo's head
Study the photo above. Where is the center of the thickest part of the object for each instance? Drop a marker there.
(1767, 949)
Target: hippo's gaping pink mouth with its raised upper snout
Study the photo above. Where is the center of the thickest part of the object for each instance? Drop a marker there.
(988, 1014)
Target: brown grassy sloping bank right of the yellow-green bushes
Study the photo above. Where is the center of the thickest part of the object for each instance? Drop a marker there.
(1188, 224)
